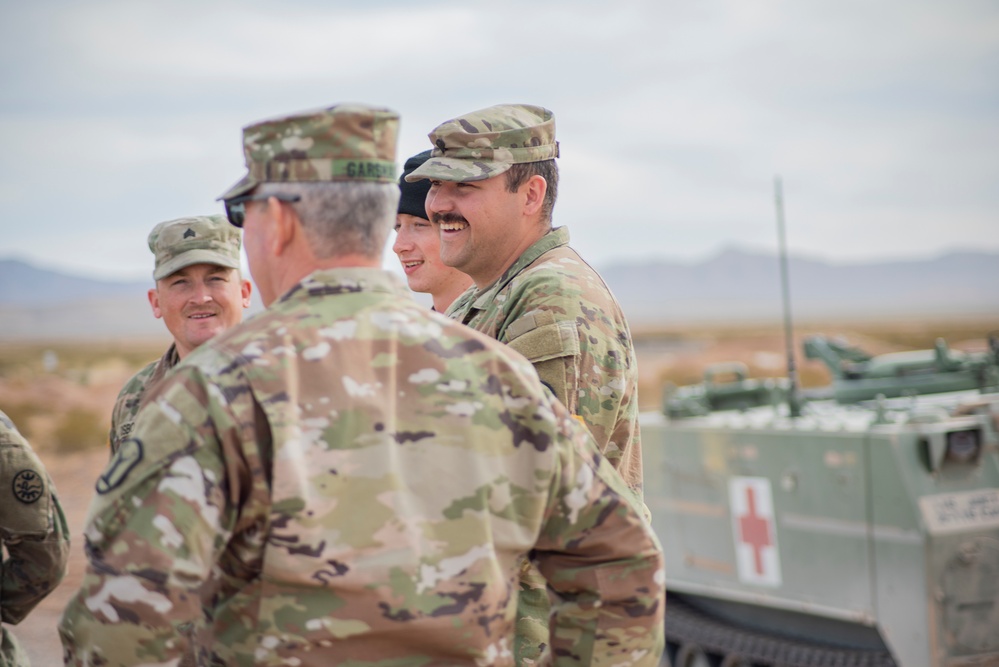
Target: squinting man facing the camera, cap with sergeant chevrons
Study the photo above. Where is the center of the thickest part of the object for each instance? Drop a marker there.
(199, 293)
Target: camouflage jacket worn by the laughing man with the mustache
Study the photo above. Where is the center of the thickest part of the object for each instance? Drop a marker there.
(553, 308)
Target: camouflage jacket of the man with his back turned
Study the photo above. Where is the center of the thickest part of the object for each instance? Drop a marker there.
(350, 478)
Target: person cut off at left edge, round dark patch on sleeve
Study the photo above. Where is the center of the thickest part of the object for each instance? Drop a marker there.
(33, 532)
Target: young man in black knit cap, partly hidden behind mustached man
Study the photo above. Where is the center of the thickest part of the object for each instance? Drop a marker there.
(417, 243)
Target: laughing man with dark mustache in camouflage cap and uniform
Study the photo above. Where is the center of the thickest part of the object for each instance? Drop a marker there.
(493, 186)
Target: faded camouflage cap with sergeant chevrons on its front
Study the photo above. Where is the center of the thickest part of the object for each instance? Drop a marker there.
(204, 239)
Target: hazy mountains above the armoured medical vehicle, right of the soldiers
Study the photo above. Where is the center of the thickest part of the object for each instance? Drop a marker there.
(736, 285)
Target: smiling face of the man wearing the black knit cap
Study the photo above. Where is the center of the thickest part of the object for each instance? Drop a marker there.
(417, 245)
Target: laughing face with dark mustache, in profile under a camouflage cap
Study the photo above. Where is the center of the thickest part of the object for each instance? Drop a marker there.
(483, 227)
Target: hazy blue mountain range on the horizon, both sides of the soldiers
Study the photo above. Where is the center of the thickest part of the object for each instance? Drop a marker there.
(732, 286)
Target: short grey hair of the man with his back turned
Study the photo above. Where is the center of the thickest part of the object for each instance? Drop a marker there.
(342, 218)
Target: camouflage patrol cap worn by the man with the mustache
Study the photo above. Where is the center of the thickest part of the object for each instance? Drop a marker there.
(486, 143)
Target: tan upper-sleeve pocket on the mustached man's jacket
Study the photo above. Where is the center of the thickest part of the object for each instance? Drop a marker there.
(552, 347)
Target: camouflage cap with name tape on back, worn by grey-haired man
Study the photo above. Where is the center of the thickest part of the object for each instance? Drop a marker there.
(345, 142)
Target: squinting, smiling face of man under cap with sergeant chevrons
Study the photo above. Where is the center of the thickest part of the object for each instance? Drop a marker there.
(198, 302)
